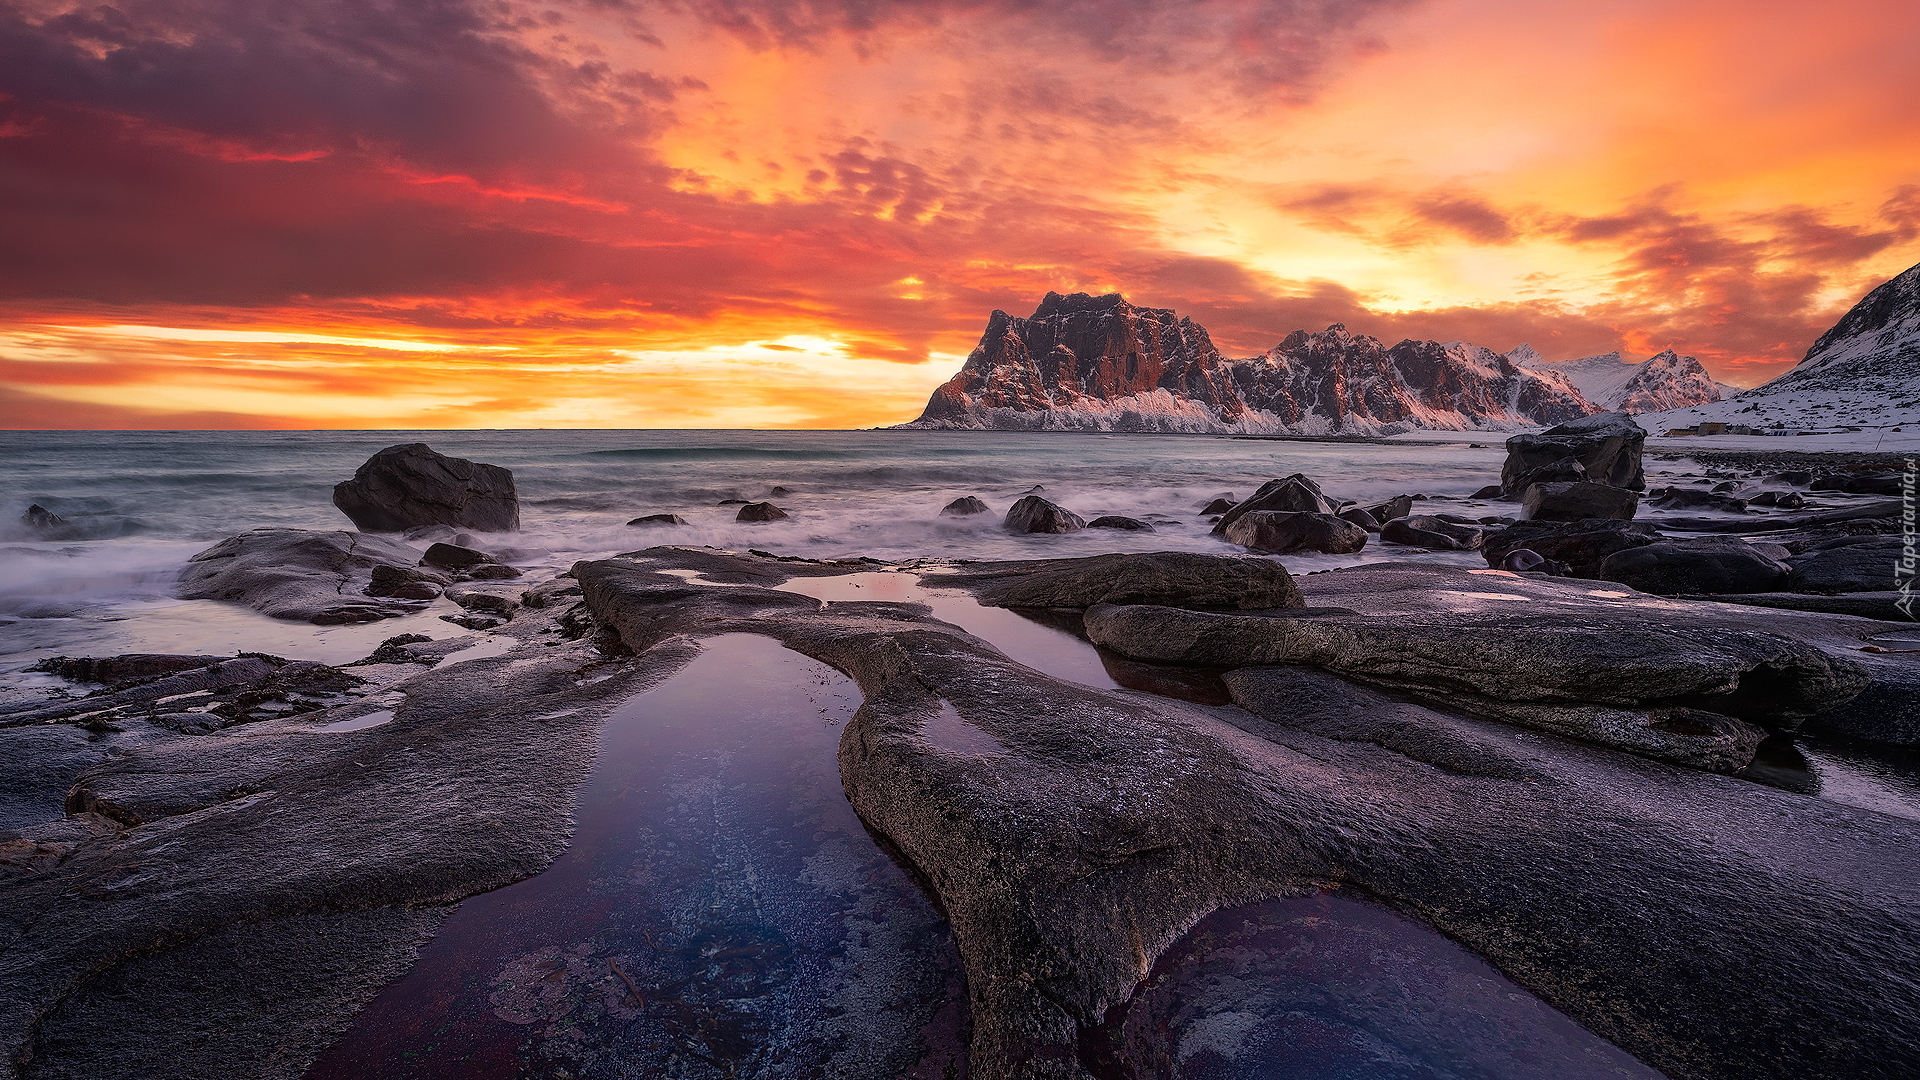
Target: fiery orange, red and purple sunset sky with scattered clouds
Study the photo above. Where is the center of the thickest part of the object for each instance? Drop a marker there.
(798, 214)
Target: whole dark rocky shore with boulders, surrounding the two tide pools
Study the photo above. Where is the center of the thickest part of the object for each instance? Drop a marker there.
(1558, 762)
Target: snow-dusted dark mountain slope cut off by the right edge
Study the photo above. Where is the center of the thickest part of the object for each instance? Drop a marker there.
(1865, 372)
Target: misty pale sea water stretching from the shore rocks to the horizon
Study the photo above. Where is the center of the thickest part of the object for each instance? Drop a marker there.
(141, 504)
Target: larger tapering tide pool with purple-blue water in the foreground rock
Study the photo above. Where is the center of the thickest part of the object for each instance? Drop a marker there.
(719, 914)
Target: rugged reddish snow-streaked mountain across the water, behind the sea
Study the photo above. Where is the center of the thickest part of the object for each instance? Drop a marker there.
(1101, 364)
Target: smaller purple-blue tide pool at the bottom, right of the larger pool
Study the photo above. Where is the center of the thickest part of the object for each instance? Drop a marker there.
(1332, 989)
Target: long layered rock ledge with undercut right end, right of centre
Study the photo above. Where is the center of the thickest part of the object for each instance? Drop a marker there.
(1692, 697)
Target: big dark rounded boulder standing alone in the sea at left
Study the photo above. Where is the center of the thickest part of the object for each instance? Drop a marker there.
(406, 487)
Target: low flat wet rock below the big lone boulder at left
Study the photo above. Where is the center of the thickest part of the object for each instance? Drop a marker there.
(295, 574)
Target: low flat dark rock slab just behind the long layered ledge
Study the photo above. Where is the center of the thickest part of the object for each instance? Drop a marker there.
(1170, 579)
